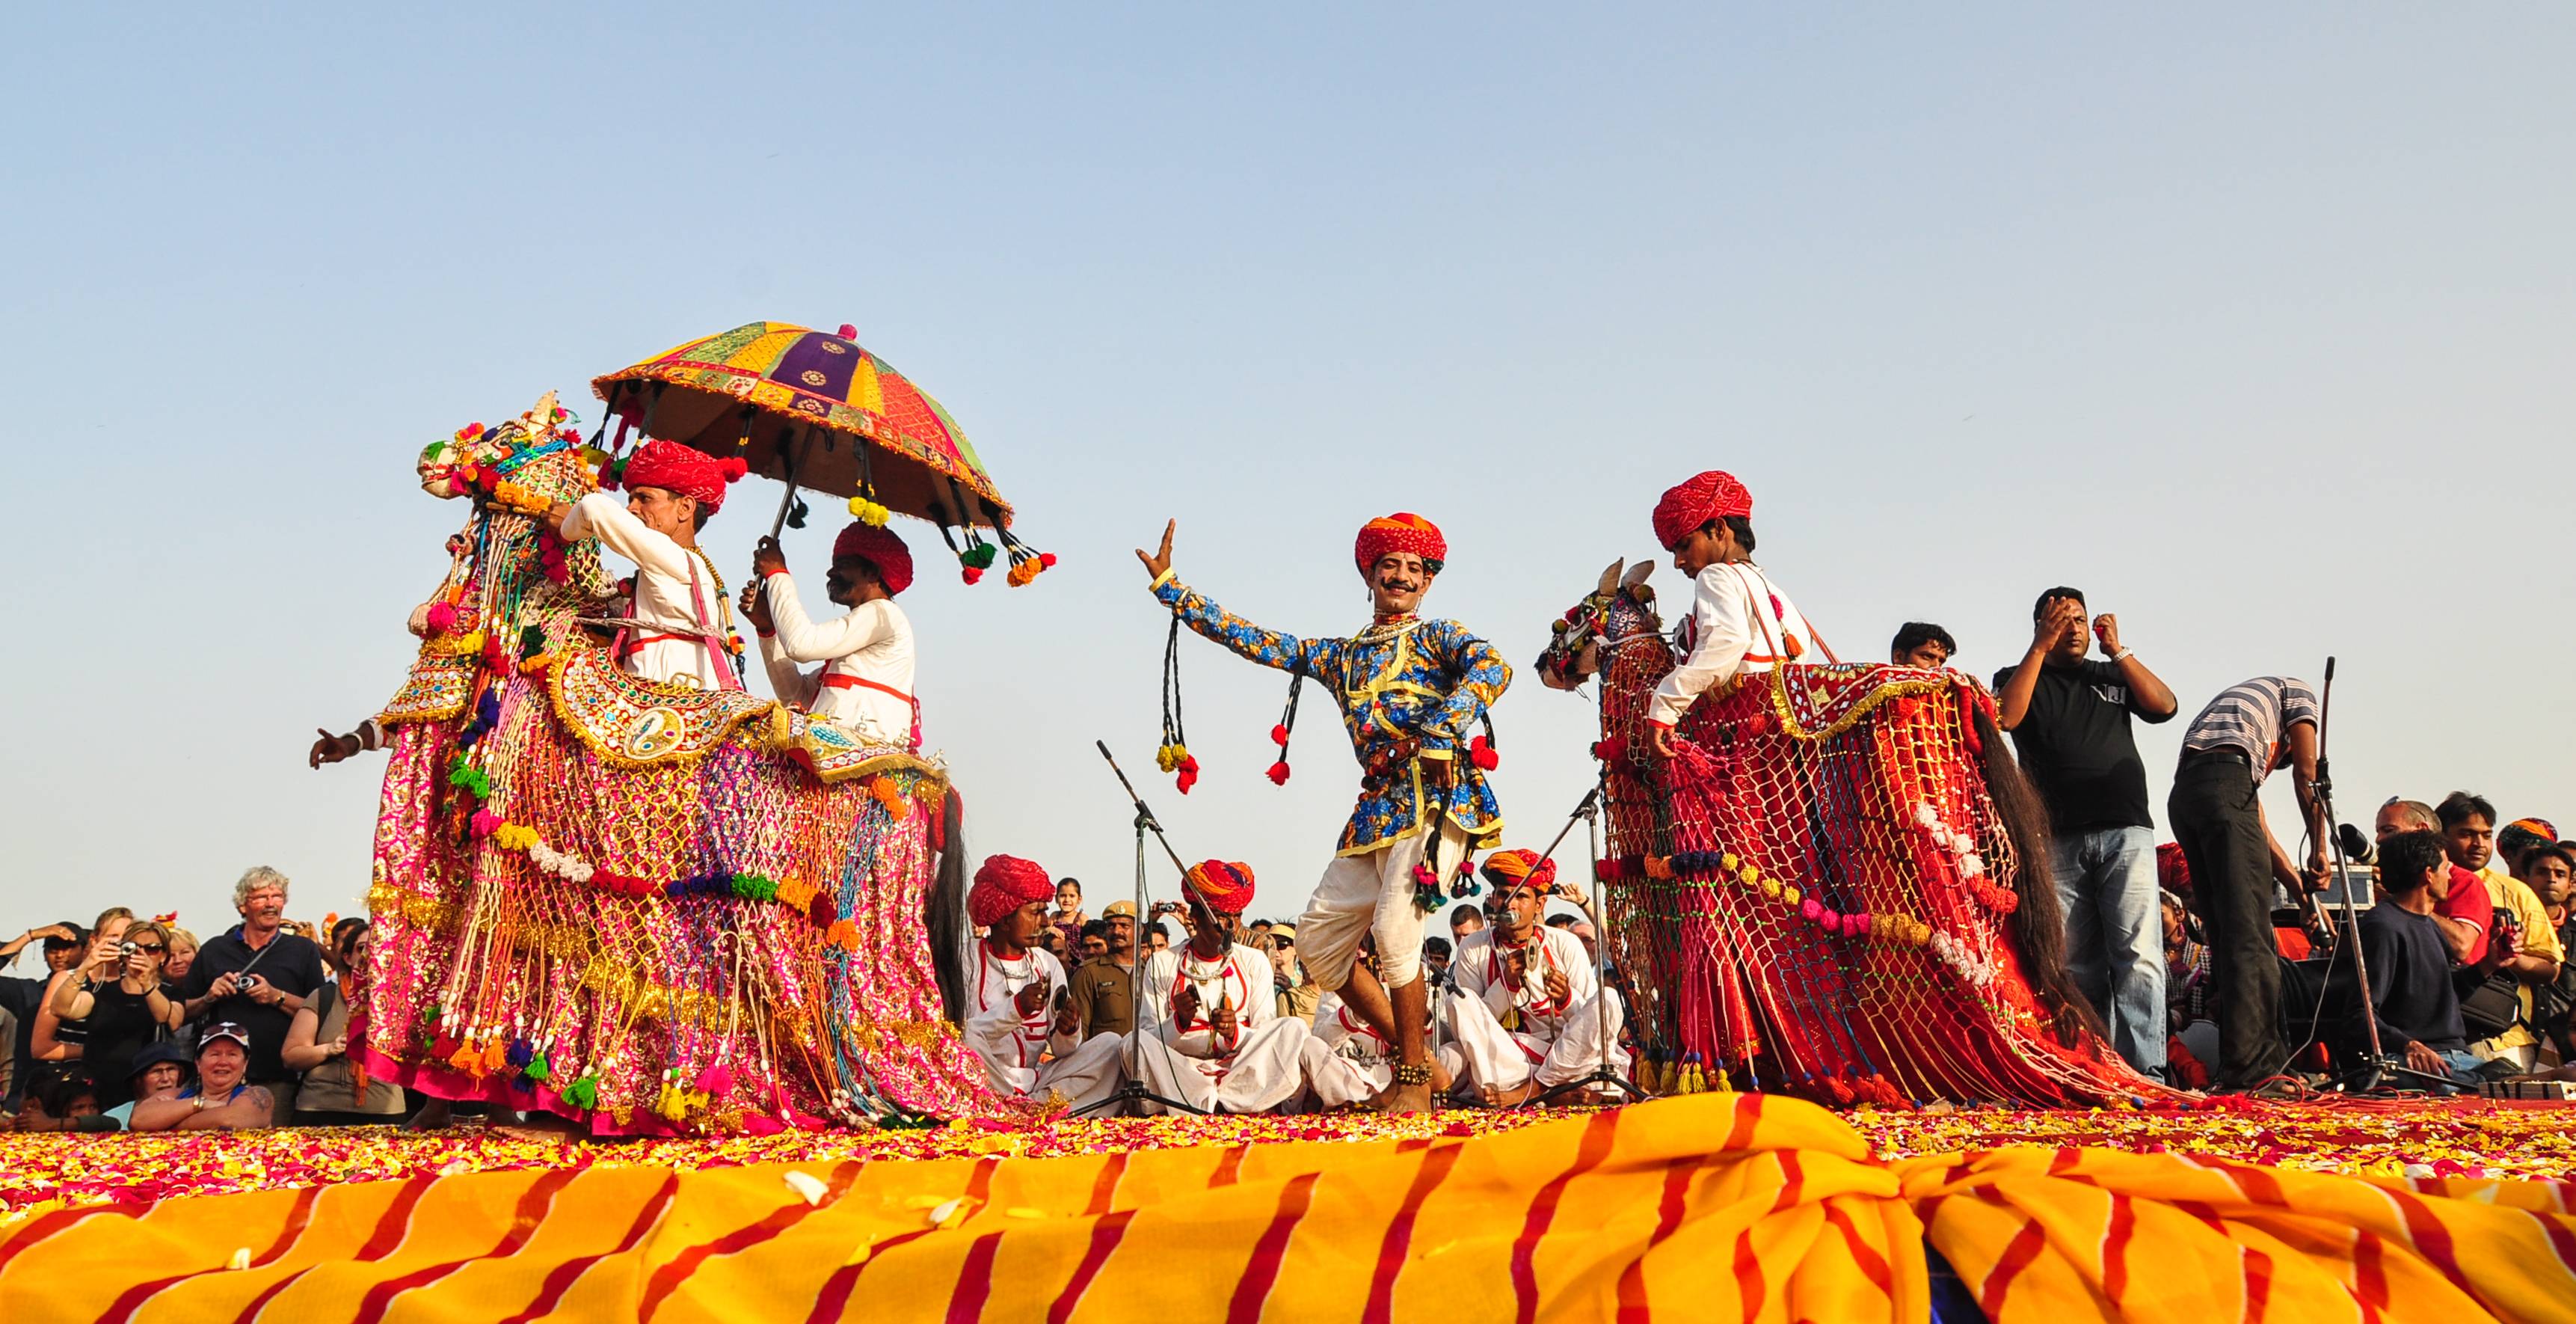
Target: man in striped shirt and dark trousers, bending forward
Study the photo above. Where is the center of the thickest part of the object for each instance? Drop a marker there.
(2235, 859)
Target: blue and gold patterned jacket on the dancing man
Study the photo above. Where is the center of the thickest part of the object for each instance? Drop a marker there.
(1408, 679)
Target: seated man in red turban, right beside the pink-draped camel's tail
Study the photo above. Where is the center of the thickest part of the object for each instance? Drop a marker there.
(1019, 1006)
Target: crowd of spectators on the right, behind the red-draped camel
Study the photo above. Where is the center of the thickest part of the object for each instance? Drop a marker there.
(2206, 957)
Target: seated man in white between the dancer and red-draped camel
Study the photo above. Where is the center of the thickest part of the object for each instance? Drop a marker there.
(1531, 1011)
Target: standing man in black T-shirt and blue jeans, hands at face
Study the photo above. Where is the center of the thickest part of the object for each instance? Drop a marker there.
(2070, 723)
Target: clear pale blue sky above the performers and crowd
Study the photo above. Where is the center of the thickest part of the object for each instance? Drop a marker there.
(2255, 326)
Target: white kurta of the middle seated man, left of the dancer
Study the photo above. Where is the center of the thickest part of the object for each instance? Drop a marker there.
(1251, 1073)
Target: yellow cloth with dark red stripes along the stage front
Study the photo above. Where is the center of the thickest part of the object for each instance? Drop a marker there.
(1704, 1207)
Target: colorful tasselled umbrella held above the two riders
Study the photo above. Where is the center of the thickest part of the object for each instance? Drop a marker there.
(818, 411)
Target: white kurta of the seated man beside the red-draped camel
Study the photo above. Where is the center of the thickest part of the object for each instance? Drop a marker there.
(1519, 1032)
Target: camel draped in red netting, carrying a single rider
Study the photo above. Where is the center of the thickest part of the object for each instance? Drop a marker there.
(1823, 895)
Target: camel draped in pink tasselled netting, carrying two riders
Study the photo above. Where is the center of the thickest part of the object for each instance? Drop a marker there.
(645, 908)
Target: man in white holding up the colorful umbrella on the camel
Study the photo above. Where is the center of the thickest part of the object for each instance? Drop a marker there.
(864, 684)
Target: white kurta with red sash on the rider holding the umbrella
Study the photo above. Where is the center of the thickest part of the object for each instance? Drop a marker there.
(875, 643)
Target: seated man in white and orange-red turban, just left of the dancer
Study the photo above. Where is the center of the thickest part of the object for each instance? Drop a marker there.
(1222, 1045)
